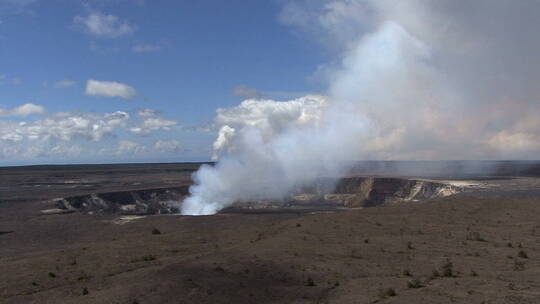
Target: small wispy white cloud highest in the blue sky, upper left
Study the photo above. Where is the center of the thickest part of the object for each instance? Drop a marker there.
(104, 26)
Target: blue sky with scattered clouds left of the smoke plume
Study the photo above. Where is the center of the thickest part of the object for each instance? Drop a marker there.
(76, 63)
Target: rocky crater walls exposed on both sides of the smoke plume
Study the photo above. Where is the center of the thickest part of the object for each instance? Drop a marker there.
(352, 192)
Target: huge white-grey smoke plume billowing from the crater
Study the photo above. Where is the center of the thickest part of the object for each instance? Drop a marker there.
(413, 80)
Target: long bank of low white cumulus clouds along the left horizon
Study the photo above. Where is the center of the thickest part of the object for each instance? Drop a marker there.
(80, 135)
